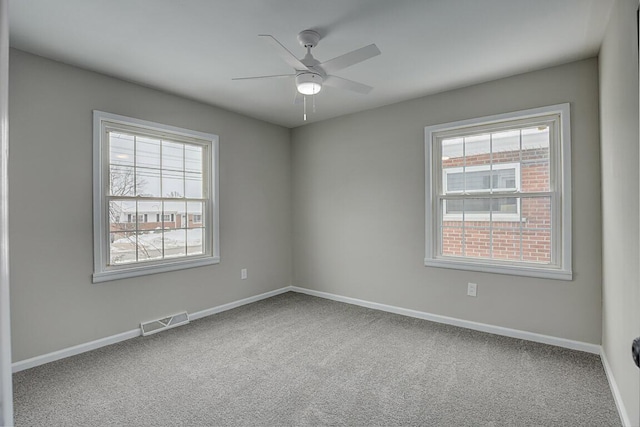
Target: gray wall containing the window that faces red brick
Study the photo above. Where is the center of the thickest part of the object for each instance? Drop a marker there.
(358, 209)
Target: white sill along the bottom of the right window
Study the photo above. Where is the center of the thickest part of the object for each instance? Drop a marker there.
(514, 270)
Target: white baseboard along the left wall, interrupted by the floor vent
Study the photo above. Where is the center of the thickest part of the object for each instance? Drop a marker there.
(81, 348)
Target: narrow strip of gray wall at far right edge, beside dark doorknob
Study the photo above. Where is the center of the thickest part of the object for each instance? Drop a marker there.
(620, 195)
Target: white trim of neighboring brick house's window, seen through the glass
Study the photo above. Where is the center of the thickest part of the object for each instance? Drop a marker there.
(496, 216)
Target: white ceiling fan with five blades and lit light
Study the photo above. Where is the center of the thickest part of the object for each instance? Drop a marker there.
(311, 74)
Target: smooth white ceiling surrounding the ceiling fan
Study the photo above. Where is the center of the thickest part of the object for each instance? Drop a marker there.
(195, 47)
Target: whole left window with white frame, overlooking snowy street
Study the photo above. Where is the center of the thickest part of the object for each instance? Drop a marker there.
(146, 171)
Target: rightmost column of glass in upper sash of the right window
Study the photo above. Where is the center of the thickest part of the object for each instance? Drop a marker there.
(535, 159)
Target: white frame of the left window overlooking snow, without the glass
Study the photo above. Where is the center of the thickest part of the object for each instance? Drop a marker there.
(102, 270)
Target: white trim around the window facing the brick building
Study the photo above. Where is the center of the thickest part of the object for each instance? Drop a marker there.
(561, 209)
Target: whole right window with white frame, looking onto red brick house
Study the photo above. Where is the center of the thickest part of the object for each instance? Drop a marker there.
(498, 194)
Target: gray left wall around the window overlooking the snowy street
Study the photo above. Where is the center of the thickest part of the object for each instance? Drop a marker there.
(54, 305)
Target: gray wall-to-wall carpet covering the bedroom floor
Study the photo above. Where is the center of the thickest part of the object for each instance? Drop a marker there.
(299, 360)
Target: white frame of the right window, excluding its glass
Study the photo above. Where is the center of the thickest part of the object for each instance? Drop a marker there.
(560, 191)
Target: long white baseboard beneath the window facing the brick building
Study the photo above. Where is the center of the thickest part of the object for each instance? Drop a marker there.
(483, 327)
